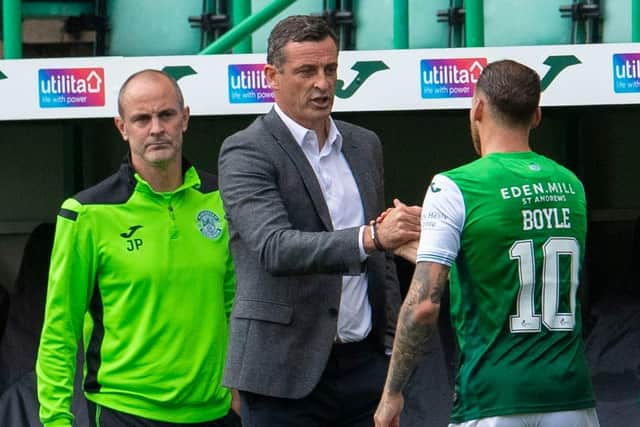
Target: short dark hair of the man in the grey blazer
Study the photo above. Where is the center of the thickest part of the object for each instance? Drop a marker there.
(296, 28)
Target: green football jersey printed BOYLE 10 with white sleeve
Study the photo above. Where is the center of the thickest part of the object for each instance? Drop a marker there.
(513, 227)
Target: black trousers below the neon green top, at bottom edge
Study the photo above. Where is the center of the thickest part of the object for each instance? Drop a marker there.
(100, 416)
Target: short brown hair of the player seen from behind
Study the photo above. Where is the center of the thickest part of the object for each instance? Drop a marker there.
(512, 90)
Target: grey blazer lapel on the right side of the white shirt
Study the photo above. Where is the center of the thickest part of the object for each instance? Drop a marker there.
(361, 174)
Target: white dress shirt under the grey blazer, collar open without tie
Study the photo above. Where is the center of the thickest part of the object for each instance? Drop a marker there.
(345, 207)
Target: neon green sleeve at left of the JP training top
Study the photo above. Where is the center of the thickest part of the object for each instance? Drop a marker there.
(69, 287)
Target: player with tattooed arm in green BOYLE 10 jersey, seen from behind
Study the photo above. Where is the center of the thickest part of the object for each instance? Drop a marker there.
(509, 231)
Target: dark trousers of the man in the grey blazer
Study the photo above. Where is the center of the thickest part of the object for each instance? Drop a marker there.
(347, 394)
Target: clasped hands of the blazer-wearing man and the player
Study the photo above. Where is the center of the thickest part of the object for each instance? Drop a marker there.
(398, 225)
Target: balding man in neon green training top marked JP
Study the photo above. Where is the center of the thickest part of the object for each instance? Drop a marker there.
(141, 270)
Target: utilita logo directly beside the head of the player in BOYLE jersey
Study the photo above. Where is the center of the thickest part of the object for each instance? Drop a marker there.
(450, 78)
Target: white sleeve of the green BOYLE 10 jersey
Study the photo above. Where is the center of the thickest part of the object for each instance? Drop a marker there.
(443, 216)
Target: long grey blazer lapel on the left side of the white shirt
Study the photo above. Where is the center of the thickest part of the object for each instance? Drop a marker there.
(284, 138)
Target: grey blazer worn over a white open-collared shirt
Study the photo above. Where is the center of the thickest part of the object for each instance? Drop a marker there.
(289, 261)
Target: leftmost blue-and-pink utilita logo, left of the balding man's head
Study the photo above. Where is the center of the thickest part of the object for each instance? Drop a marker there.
(71, 87)
